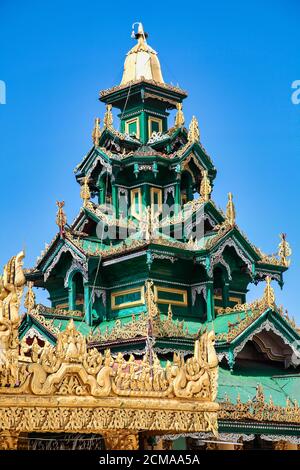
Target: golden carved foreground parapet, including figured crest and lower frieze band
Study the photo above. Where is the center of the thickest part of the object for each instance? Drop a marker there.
(137, 395)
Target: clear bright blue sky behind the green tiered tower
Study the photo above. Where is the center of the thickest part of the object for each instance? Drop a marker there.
(237, 60)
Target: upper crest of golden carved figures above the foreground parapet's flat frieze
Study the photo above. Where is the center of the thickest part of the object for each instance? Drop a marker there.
(69, 366)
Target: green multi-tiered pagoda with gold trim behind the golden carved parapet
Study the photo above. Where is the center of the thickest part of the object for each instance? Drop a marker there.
(151, 262)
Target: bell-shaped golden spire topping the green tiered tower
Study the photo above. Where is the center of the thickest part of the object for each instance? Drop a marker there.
(141, 61)
